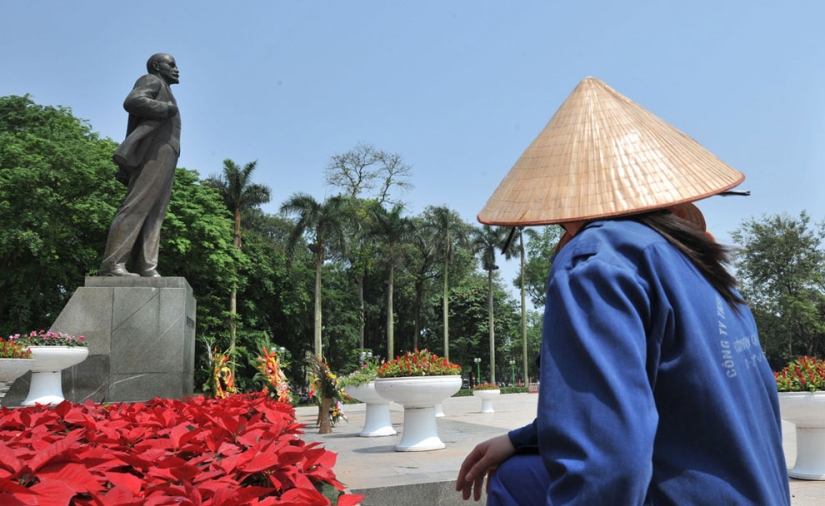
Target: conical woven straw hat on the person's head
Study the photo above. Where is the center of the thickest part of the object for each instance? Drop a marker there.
(603, 155)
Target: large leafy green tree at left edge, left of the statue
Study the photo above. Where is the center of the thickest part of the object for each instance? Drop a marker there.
(57, 199)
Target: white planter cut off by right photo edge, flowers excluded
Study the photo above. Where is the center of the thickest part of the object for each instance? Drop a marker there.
(806, 410)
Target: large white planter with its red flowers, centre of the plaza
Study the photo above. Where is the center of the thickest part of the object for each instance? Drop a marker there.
(418, 380)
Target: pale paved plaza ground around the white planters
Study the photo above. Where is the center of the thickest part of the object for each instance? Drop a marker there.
(371, 466)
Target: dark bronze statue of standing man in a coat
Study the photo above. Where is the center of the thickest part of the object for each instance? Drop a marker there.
(147, 160)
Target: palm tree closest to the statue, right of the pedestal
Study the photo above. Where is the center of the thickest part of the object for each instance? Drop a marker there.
(239, 194)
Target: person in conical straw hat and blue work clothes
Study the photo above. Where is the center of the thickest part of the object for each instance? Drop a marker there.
(654, 388)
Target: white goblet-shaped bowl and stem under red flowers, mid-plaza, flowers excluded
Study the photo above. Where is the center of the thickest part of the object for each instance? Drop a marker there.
(419, 395)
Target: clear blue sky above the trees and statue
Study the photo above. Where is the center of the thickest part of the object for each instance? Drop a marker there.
(458, 88)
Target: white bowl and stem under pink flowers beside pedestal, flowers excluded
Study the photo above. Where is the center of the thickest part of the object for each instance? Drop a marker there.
(46, 385)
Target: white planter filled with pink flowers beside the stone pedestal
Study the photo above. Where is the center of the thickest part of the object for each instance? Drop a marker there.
(52, 352)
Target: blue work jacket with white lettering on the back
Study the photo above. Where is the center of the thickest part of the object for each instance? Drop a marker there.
(653, 389)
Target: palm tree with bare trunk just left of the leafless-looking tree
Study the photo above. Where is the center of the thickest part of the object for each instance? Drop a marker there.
(325, 222)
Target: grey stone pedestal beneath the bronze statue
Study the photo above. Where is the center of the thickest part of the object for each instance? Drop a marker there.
(141, 334)
